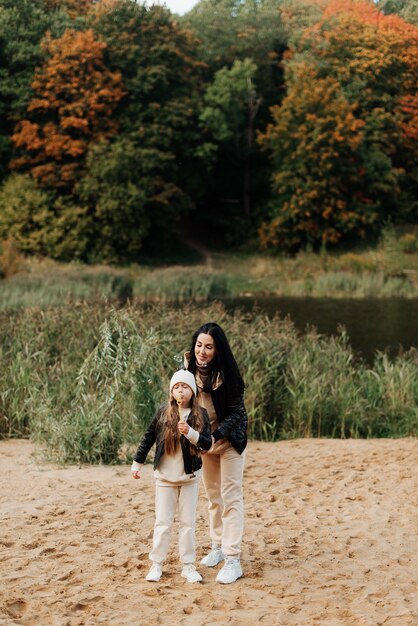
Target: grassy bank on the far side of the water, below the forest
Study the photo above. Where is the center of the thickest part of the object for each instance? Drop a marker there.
(388, 270)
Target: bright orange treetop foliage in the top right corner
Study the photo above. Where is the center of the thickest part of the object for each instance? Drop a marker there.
(360, 42)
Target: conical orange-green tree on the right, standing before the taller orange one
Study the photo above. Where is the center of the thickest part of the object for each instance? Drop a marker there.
(315, 140)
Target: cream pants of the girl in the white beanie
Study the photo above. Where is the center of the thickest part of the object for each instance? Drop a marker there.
(167, 500)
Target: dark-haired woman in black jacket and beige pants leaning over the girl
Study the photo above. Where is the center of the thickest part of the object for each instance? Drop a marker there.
(221, 393)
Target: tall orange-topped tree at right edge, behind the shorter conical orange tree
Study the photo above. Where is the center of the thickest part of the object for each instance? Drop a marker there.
(375, 59)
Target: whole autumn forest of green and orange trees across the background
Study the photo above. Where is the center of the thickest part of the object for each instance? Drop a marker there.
(282, 125)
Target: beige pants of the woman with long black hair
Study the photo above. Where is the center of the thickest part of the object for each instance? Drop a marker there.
(222, 477)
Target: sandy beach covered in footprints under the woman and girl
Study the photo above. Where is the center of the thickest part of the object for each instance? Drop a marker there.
(330, 540)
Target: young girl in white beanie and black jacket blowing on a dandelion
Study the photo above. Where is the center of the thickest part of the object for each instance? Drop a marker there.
(180, 429)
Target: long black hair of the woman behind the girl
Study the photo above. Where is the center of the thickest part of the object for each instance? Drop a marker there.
(223, 363)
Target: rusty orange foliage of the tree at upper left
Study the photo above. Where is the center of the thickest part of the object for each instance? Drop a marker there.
(75, 96)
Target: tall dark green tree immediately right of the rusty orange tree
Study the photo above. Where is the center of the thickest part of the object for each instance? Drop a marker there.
(158, 115)
